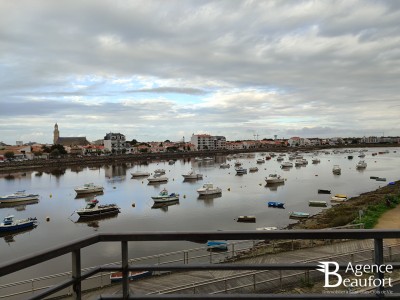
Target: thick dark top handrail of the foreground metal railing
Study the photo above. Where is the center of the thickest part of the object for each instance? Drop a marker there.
(19, 264)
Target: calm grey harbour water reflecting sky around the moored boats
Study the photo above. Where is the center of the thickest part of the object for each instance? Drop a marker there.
(248, 195)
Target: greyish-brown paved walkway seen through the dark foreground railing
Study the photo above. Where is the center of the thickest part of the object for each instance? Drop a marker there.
(213, 281)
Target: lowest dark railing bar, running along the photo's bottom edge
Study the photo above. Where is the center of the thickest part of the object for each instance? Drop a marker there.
(252, 296)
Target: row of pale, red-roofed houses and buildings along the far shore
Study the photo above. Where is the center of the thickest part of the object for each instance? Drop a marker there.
(116, 143)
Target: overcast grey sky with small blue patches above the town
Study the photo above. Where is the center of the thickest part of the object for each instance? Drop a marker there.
(157, 70)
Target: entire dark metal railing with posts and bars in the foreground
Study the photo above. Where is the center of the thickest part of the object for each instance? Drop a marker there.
(77, 276)
